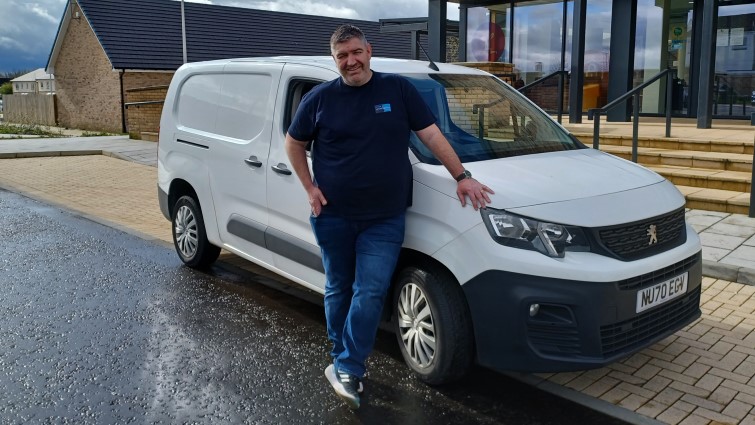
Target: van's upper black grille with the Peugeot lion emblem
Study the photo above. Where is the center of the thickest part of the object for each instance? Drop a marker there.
(644, 238)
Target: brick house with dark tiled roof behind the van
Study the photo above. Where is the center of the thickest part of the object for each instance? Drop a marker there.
(113, 60)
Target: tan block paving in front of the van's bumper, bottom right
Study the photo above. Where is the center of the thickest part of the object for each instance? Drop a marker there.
(703, 374)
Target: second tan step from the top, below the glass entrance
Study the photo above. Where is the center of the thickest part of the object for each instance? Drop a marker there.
(685, 158)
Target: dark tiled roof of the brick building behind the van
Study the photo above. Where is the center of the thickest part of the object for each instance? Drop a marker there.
(146, 34)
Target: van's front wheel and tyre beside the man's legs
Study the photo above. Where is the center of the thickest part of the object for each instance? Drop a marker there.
(433, 325)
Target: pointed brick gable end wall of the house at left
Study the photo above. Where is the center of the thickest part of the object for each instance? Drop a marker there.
(88, 89)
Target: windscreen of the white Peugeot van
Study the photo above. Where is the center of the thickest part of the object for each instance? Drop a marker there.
(484, 118)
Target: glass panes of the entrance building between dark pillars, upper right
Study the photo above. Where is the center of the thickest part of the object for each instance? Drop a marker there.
(530, 35)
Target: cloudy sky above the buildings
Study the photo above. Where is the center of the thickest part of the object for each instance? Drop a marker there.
(28, 27)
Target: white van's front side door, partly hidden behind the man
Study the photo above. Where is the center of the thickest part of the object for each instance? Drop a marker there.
(290, 235)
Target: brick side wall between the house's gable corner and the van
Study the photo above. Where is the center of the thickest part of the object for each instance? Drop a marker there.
(143, 120)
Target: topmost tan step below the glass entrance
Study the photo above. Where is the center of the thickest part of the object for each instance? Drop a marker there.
(722, 146)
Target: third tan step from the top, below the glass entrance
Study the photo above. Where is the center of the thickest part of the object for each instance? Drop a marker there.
(703, 178)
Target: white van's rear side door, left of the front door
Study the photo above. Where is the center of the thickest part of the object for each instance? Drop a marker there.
(244, 124)
